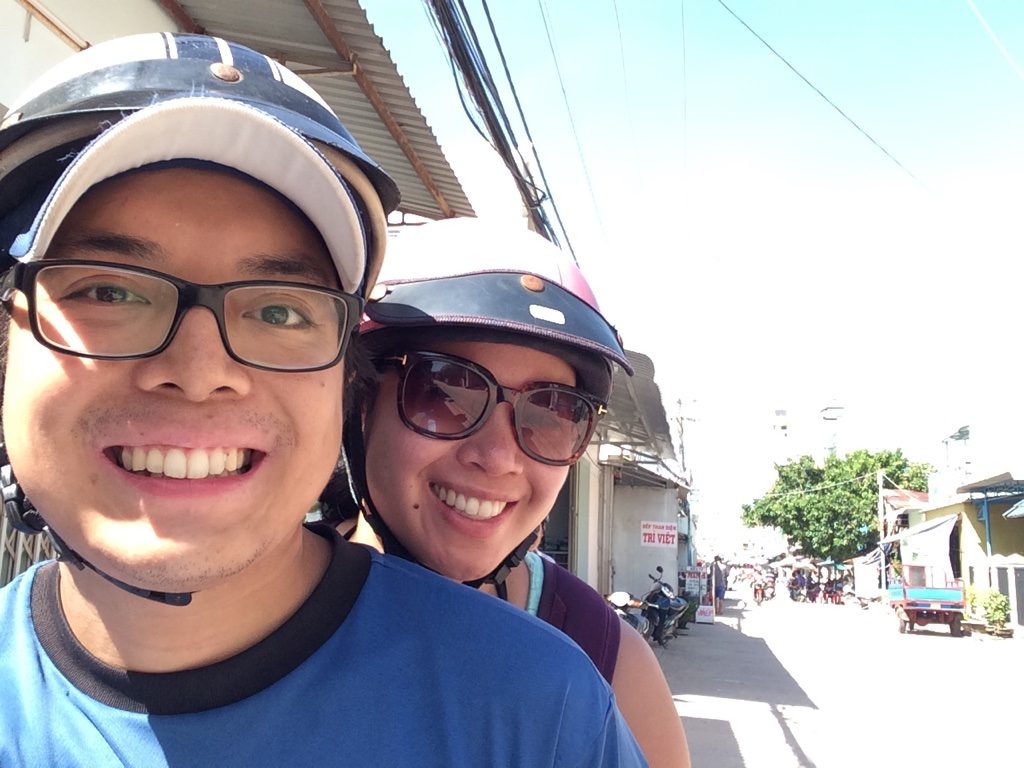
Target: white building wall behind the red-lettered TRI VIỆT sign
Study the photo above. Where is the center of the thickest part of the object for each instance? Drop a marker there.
(631, 561)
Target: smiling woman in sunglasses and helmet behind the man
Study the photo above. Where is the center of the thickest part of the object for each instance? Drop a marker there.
(470, 317)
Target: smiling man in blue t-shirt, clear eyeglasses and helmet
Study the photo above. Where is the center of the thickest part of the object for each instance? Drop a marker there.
(185, 261)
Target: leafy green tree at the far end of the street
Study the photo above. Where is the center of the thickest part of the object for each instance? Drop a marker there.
(832, 510)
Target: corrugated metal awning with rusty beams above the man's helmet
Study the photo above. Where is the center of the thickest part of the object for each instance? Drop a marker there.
(333, 46)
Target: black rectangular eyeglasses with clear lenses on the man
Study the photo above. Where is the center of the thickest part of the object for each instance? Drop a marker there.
(112, 312)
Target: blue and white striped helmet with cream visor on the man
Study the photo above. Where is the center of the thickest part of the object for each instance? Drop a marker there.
(161, 98)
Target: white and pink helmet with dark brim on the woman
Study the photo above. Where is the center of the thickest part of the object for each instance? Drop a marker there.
(471, 279)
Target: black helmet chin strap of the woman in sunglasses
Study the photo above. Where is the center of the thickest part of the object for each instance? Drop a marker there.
(355, 448)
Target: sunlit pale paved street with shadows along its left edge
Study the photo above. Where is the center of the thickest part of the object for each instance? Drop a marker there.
(793, 685)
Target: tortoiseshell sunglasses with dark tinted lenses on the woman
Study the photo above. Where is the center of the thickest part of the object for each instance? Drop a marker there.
(448, 398)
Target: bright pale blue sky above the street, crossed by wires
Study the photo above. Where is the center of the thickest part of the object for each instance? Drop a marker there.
(746, 236)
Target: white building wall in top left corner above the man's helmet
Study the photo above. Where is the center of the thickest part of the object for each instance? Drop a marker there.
(28, 49)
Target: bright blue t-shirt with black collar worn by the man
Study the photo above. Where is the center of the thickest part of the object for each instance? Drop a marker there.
(385, 665)
